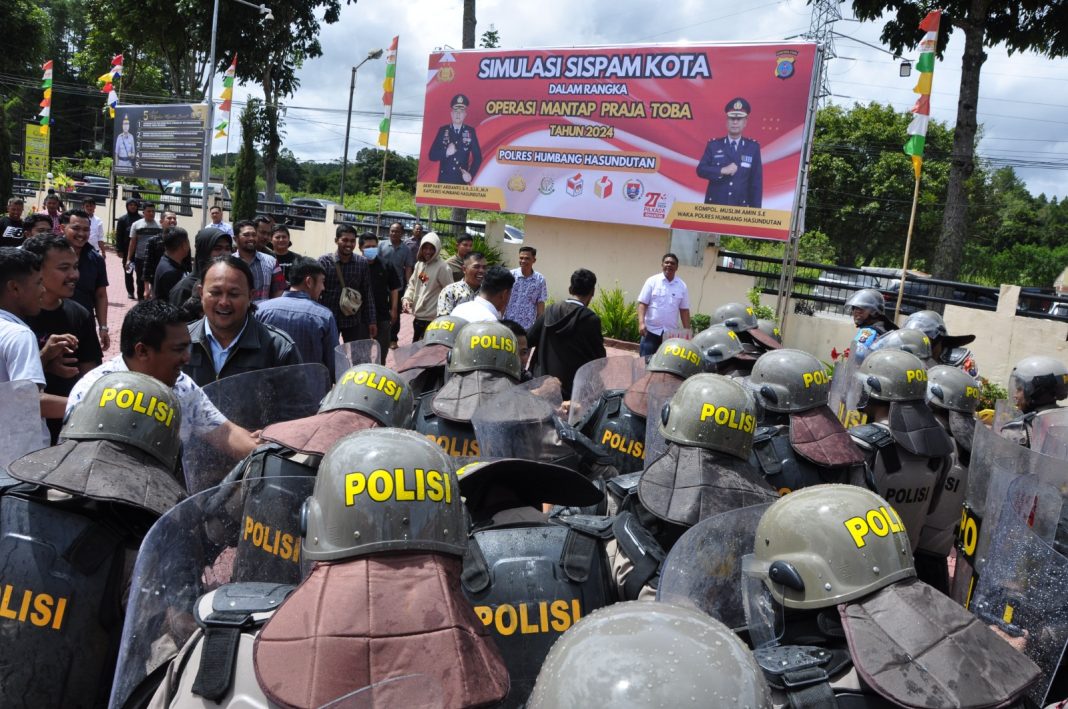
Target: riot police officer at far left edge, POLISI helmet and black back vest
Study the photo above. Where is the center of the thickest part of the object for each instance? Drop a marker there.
(70, 532)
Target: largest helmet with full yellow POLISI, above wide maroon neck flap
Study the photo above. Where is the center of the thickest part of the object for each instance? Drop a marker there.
(384, 491)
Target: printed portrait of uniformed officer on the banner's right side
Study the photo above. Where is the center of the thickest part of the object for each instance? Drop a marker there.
(732, 164)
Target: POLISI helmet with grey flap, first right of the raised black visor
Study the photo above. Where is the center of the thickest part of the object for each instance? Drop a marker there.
(714, 413)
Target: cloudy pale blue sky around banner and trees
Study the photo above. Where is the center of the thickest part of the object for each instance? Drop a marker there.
(1024, 112)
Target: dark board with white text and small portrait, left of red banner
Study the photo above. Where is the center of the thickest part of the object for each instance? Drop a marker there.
(161, 141)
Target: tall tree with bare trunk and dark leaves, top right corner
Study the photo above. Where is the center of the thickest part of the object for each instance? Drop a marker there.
(1026, 26)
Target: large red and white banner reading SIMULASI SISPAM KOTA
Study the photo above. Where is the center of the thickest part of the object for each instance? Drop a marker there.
(704, 138)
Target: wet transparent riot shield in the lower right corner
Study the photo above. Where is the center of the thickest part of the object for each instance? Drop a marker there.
(1023, 589)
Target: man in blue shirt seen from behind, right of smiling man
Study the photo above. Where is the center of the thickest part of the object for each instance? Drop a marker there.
(299, 313)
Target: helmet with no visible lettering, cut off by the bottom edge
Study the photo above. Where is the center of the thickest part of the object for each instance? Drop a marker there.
(647, 654)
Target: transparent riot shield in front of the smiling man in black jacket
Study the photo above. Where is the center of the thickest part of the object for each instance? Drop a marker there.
(255, 401)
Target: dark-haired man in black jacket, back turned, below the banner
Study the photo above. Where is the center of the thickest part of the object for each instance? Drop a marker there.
(569, 335)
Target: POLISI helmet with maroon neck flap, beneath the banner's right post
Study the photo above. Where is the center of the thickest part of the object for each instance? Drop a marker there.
(790, 382)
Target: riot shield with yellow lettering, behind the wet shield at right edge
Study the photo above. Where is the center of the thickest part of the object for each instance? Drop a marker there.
(996, 464)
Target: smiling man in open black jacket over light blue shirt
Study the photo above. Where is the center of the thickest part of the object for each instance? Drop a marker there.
(227, 341)
